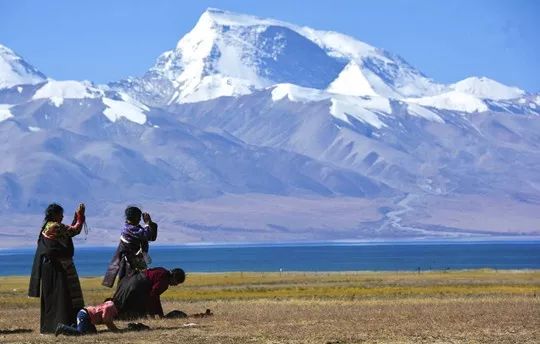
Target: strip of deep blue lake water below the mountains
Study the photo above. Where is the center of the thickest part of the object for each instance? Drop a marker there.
(306, 257)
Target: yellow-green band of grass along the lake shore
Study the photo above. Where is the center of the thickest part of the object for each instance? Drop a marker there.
(351, 285)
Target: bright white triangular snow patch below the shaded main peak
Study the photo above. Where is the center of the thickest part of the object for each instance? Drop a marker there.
(351, 81)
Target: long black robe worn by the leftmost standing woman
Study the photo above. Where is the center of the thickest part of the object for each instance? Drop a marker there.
(51, 281)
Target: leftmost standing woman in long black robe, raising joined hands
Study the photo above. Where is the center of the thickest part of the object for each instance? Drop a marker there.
(54, 277)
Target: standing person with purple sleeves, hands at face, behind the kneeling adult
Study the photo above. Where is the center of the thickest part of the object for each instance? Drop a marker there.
(131, 256)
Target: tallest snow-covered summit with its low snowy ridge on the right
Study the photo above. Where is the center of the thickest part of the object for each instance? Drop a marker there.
(231, 54)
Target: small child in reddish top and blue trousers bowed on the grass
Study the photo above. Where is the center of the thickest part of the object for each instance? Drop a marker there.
(90, 316)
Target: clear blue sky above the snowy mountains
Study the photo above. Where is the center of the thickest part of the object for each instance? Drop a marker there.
(106, 40)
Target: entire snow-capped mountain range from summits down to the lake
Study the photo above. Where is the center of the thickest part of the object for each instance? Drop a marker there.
(255, 113)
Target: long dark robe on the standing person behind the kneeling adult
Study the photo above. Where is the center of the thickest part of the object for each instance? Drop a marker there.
(120, 263)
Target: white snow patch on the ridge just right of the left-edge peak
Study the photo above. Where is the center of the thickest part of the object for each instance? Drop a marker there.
(57, 91)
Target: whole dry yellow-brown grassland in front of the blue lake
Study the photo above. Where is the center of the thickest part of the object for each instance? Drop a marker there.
(481, 306)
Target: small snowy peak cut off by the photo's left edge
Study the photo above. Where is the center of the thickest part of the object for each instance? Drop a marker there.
(15, 71)
